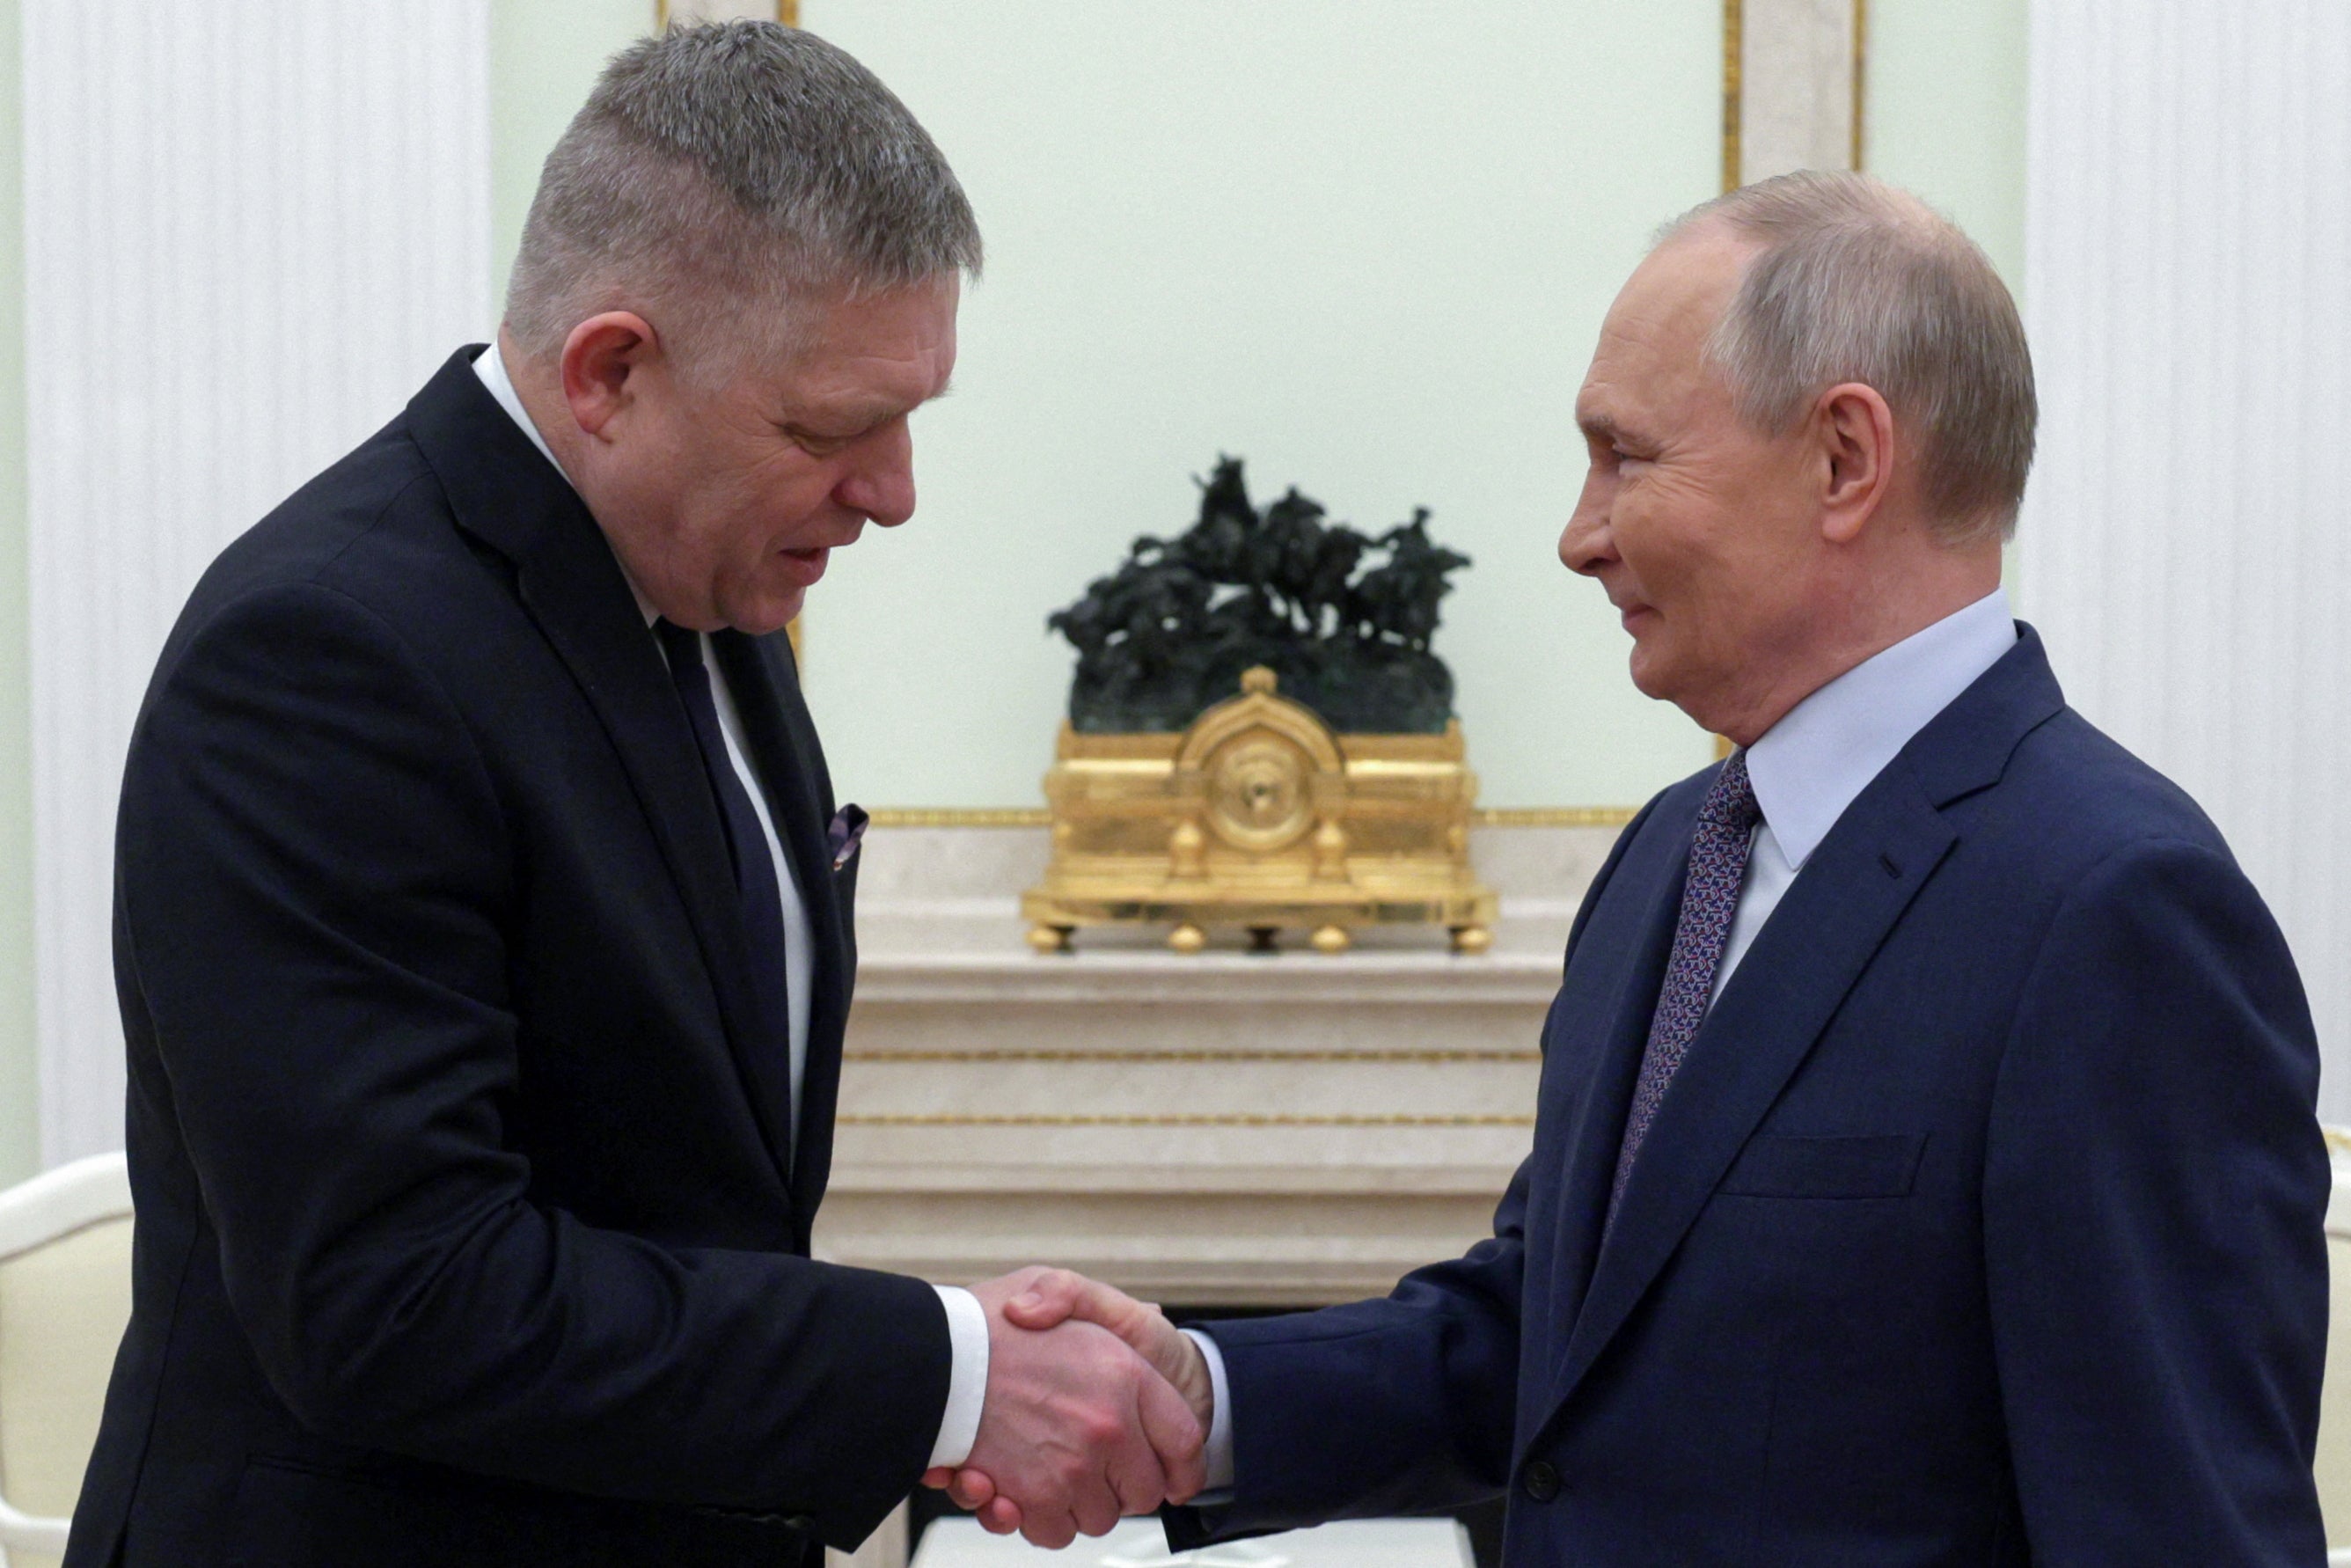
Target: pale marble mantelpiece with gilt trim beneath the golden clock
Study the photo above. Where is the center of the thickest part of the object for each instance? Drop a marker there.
(1214, 1130)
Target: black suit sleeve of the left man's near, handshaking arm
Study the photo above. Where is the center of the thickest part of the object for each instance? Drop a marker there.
(314, 876)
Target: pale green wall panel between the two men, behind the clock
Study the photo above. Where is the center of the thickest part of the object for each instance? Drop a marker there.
(1362, 246)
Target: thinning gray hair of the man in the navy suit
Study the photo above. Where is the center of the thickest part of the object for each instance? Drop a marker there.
(1866, 283)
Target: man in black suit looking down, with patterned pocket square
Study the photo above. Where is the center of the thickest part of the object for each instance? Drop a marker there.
(485, 920)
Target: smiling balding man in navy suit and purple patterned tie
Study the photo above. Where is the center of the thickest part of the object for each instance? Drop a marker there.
(1927, 1165)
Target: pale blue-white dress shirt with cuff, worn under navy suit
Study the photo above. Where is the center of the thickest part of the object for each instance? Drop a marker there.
(1807, 770)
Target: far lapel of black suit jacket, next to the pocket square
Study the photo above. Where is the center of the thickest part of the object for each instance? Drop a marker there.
(791, 770)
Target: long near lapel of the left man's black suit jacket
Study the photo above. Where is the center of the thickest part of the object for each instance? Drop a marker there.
(507, 495)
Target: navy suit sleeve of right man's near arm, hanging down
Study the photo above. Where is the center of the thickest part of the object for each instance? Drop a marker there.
(2155, 1205)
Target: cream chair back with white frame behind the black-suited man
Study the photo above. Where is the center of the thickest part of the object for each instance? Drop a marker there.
(65, 1299)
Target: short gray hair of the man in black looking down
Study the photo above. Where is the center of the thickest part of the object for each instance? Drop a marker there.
(725, 175)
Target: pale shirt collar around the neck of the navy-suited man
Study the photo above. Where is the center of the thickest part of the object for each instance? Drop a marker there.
(1816, 760)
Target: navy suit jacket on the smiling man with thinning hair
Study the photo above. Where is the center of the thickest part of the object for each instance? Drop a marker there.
(1981, 1226)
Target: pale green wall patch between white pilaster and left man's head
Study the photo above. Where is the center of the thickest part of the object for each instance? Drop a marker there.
(544, 58)
